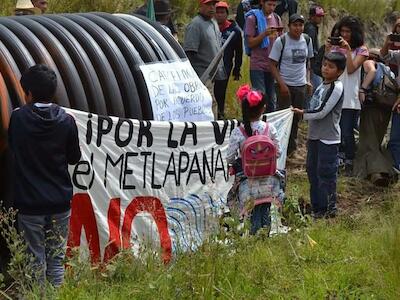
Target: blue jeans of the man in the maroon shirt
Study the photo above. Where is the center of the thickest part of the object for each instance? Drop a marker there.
(264, 82)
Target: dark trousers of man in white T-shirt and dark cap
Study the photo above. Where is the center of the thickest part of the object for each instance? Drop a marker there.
(296, 98)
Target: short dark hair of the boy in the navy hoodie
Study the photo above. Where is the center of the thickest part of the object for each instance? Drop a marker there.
(41, 81)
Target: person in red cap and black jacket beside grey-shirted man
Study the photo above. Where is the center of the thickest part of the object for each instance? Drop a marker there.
(233, 52)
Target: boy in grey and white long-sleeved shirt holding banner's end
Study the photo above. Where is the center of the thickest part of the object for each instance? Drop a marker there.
(324, 136)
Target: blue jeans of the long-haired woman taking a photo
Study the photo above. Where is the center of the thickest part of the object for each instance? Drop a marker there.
(349, 122)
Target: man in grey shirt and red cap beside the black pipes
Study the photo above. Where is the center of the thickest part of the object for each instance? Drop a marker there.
(202, 43)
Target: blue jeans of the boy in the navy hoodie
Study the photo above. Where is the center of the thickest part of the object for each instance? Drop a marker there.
(46, 238)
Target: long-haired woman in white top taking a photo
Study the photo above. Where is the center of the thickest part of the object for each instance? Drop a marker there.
(349, 40)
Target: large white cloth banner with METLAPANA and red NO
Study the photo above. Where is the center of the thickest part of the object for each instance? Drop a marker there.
(151, 182)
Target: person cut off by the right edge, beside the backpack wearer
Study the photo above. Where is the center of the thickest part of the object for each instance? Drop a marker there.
(393, 57)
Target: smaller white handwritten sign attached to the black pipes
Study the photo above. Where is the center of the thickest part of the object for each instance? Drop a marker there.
(176, 92)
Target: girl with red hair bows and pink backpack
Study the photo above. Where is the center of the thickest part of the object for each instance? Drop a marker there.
(263, 189)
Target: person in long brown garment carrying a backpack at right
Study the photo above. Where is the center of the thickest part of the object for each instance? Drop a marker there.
(372, 161)
